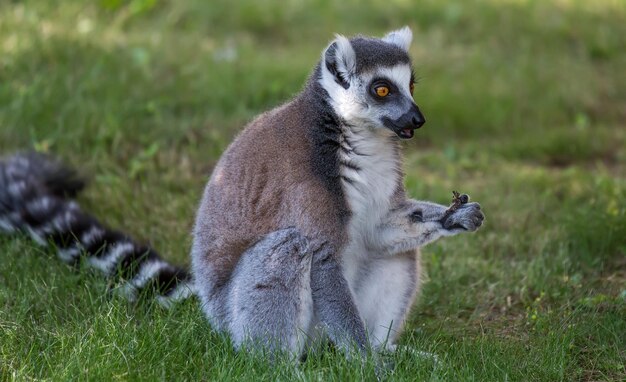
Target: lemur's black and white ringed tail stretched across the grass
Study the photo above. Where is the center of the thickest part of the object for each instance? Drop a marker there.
(36, 194)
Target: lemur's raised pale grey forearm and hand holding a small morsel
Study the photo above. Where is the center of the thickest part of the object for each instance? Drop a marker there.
(416, 223)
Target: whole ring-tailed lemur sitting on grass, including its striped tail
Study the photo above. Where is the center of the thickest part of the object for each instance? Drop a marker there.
(304, 230)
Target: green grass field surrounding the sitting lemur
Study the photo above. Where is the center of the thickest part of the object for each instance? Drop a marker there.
(526, 110)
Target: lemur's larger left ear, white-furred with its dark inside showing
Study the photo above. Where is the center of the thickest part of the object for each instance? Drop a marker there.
(340, 60)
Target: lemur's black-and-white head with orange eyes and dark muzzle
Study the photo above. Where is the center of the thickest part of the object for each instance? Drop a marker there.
(370, 82)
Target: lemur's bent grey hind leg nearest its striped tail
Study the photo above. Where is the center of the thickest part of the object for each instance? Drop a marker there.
(270, 300)
